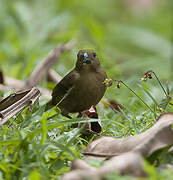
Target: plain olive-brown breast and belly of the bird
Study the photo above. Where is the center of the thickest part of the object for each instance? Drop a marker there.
(87, 91)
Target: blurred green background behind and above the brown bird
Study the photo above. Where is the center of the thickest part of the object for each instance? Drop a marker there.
(129, 36)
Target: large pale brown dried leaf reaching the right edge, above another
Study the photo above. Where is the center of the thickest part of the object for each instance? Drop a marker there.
(158, 136)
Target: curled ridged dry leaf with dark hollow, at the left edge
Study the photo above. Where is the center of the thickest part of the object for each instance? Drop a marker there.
(16, 102)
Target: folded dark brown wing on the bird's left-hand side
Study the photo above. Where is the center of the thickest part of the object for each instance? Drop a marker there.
(62, 88)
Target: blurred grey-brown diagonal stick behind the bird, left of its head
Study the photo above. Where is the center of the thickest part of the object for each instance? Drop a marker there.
(42, 69)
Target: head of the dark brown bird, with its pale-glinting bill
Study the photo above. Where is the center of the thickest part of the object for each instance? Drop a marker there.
(87, 60)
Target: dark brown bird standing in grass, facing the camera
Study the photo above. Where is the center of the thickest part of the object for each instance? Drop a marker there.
(82, 87)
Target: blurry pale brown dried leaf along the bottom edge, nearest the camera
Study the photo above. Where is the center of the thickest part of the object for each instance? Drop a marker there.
(128, 163)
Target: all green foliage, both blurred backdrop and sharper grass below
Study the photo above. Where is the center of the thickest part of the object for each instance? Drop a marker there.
(128, 42)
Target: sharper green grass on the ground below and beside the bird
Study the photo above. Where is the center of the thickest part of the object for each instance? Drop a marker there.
(42, 144)
